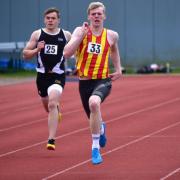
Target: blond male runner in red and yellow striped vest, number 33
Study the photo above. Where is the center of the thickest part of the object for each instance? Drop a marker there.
(93, 45)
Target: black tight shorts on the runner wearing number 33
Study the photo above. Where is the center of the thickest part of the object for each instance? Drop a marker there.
(99, 87)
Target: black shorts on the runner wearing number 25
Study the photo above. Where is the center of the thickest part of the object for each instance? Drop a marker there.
(44, 80)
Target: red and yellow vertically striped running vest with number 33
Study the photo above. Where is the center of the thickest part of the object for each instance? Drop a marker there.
(92, 56)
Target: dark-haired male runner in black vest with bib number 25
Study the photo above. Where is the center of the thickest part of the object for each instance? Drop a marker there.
(48, 44)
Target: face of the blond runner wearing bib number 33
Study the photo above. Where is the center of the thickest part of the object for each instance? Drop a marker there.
(96, 16)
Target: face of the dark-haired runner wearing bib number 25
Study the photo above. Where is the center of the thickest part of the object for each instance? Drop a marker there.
(51, 21)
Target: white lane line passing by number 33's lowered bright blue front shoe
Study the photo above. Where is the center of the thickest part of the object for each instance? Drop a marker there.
(113, 150)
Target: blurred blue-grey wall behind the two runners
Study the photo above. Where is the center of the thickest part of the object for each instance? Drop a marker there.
(148, 29)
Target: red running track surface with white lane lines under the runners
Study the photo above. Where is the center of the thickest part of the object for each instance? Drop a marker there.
(143, 130)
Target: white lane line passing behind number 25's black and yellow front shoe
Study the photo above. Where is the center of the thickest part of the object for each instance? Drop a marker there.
(86, 128)
